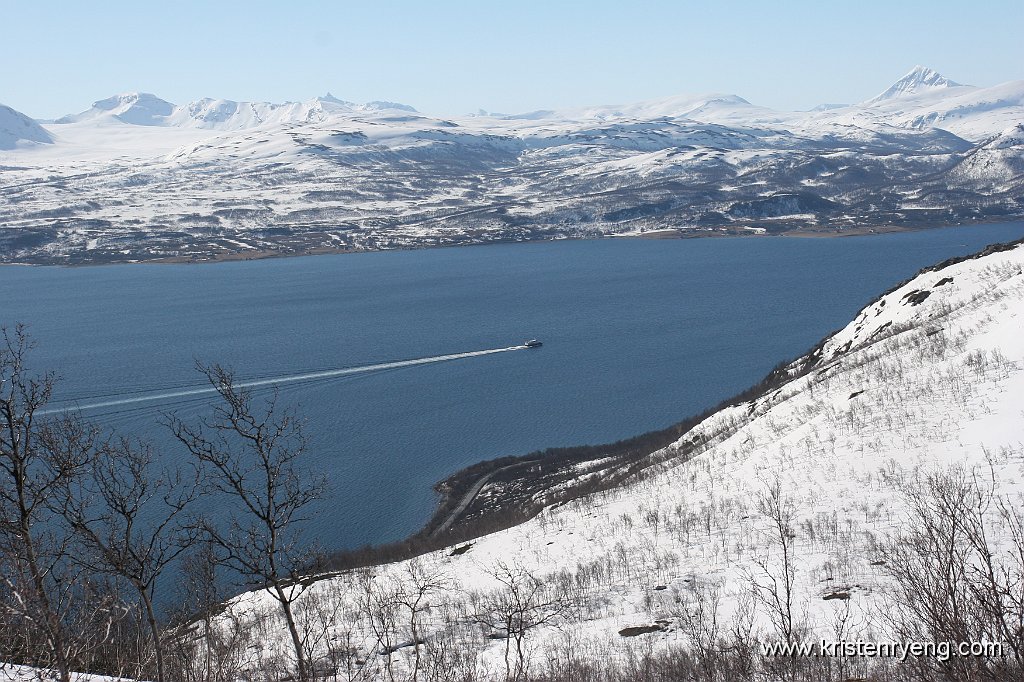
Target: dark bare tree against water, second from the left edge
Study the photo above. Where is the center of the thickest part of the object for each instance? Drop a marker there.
(131, 523)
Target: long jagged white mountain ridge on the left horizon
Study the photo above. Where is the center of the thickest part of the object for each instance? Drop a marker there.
(148, 110)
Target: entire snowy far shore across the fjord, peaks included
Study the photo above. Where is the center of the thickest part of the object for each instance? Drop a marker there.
(136, 178)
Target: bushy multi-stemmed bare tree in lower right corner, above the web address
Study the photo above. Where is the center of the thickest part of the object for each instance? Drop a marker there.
(953, 582)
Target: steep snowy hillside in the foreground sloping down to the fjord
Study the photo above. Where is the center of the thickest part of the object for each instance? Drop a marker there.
(926, 380)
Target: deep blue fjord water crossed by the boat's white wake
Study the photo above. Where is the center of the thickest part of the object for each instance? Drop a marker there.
(637, 335)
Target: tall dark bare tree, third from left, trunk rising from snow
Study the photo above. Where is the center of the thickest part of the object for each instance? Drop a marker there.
(250, 455)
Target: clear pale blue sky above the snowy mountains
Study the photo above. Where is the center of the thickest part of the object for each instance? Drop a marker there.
(456, 58)
